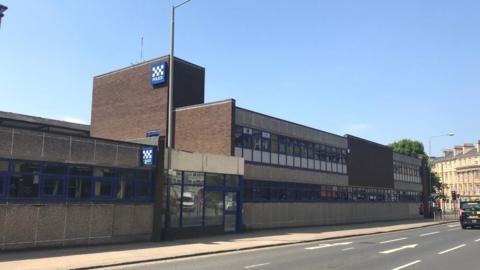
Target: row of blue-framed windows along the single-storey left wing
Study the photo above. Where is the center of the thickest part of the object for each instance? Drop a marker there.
(53, 181)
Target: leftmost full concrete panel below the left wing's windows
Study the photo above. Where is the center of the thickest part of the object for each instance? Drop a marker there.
(20, 223)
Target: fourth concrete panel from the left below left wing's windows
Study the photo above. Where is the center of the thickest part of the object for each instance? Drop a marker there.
(101, 223)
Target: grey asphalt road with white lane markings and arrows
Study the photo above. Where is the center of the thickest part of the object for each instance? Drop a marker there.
(444, 246)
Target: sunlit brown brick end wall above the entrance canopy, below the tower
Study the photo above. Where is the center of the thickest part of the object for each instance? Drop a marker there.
(205, 128)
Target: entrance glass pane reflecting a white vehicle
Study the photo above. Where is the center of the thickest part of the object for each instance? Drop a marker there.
(192, 206)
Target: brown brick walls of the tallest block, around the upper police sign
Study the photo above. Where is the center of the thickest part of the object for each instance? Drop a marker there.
(125, 105)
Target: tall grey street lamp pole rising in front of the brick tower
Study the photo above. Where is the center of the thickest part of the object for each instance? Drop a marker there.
(170, 82)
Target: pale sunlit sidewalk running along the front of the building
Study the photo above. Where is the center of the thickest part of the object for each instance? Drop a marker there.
(86, 257)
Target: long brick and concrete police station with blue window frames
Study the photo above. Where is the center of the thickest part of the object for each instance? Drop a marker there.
(229, 170)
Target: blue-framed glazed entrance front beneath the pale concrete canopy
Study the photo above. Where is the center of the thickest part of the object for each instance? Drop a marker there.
(202, 199)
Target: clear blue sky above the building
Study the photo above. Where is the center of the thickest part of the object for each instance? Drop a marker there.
(383, 70)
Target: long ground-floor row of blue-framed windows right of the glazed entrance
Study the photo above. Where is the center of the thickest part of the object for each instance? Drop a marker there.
(268, 191)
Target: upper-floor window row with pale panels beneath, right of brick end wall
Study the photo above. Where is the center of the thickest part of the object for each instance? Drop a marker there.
(264, 147)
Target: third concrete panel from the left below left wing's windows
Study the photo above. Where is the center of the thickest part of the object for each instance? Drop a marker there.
(78, 221)
